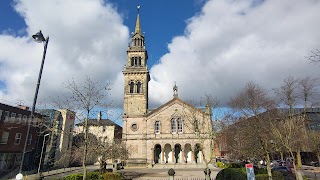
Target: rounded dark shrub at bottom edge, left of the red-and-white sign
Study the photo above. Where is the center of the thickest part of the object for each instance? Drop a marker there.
(231, 173)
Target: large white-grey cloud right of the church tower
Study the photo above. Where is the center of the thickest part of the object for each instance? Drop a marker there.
(230, 43)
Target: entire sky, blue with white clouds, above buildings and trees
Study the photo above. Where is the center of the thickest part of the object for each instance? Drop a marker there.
(205, 46)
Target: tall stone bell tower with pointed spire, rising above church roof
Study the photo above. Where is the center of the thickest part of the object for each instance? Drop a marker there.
(136, 75)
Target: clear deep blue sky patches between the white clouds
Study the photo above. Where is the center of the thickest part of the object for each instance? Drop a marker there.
(158, 17)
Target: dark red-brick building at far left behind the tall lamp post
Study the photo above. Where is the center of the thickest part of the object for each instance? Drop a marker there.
(14, 123)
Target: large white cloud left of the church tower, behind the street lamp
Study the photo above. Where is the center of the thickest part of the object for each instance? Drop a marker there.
(87, 38)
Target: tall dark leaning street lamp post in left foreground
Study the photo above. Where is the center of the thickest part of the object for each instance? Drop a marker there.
(40, 39)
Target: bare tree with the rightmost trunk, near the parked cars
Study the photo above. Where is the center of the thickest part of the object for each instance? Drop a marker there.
(291, 129)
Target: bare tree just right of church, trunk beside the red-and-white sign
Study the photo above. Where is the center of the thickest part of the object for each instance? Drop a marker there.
(251, 103)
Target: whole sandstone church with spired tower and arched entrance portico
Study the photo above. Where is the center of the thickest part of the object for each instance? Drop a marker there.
(174, 133)
